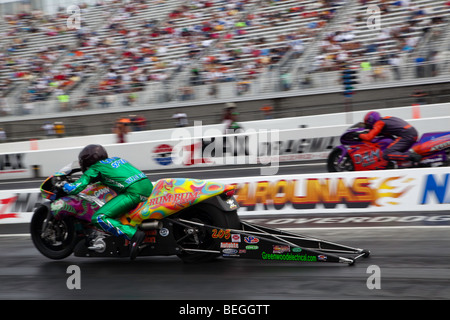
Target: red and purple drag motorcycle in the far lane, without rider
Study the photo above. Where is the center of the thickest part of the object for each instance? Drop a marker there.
(357, 155)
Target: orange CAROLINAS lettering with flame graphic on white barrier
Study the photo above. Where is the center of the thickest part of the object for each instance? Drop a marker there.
(328, 193)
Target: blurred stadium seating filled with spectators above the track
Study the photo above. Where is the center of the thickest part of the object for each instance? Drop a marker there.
(203, 46)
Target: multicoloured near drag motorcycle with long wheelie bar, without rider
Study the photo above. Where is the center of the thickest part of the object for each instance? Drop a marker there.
(195, 220)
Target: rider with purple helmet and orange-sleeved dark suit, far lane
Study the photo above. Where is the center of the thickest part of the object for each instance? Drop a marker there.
(405, 136)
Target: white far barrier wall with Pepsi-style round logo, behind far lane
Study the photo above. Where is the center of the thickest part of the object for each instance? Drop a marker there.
(201, 147)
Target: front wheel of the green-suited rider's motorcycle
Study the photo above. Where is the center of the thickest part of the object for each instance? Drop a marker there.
(55, 239)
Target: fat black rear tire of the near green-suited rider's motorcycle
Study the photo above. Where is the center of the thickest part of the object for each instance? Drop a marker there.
(208, 215)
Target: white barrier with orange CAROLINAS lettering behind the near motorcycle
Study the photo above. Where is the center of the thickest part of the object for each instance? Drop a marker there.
(411, 190)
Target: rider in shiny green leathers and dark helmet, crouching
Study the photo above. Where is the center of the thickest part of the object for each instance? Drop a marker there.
(132, 187)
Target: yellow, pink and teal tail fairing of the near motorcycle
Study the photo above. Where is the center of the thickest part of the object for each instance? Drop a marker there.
(172, 195)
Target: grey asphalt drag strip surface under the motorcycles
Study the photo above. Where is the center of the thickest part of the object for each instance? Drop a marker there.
(410, 261)
